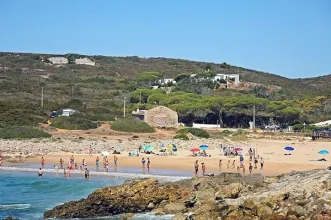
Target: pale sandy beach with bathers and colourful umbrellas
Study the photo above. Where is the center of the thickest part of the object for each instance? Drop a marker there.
(304, 156)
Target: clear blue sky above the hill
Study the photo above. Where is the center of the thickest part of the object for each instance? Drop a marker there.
(291, 38)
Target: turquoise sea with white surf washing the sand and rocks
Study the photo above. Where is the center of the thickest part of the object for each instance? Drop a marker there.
(26, 196)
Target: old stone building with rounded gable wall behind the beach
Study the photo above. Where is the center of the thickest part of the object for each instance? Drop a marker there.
(159, 117)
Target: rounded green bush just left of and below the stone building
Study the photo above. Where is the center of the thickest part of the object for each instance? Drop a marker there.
(131, 125)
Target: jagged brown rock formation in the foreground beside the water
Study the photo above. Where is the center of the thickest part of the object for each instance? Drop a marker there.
(298, 195)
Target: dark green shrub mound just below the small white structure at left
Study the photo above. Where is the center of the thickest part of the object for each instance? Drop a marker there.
(74, 122)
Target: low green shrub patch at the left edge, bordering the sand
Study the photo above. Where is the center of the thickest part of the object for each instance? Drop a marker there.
(22, 133)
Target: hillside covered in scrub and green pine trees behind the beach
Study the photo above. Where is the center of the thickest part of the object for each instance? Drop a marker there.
(97, 92)
